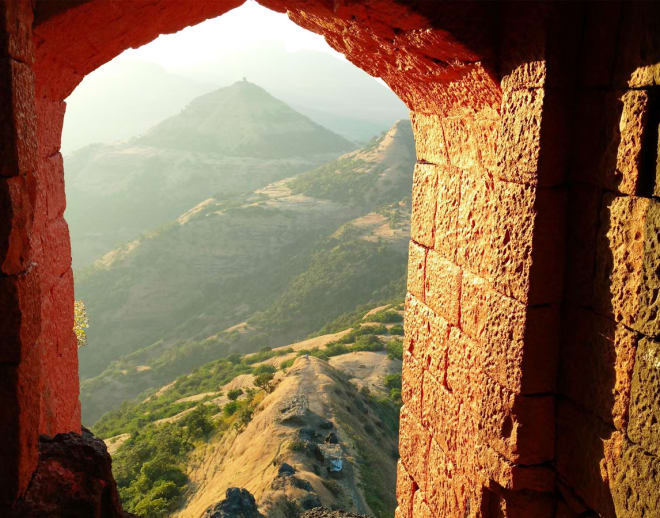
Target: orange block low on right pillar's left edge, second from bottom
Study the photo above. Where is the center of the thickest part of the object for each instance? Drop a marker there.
(414, 442)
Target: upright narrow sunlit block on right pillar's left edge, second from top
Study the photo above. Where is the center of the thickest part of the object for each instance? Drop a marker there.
(424, 196)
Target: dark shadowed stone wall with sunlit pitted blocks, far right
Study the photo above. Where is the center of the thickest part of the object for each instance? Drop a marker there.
(608, 436)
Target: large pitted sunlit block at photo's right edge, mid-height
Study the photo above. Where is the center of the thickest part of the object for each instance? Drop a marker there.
(627, 249)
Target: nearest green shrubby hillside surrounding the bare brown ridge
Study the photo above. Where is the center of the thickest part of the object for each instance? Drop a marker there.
(155, 439)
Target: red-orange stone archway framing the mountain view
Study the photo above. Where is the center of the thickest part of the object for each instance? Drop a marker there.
(491, 88)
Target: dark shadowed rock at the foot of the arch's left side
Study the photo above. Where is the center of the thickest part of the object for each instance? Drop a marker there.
(73, 480)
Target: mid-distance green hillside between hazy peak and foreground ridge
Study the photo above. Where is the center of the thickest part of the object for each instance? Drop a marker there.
(276, 262)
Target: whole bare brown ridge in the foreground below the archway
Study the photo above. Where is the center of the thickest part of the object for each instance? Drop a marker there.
(282, 456)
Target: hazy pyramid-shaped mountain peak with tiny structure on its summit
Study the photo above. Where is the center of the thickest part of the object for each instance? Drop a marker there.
(243, 119)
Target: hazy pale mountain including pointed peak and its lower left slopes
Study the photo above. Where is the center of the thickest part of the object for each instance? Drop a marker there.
(225, 143)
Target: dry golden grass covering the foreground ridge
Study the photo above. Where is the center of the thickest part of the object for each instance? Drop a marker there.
(251, 458)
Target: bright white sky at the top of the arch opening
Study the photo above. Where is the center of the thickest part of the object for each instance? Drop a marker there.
(245, 26)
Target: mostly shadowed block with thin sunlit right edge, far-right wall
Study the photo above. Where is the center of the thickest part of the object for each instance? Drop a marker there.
(597, 359)
